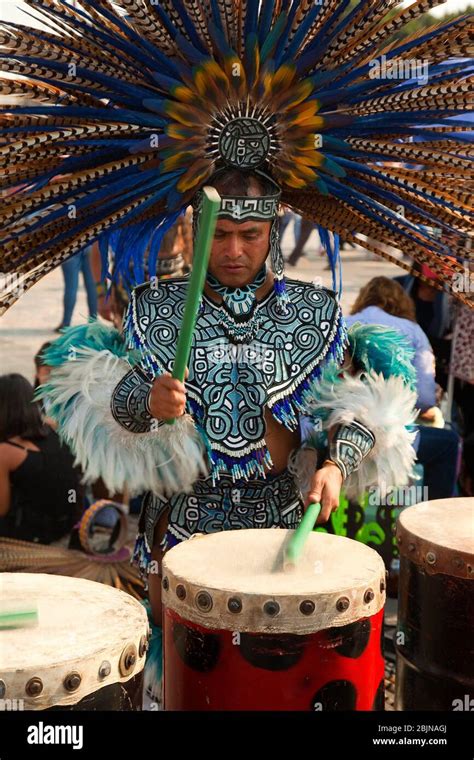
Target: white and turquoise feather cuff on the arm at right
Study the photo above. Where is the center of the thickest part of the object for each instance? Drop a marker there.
(381, 395)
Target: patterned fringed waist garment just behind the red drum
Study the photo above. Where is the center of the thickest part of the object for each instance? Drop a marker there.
(262, 502)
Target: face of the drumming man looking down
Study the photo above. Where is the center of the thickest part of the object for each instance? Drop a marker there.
(238, 251)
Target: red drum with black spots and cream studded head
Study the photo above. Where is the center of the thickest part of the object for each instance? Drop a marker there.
(241, 633)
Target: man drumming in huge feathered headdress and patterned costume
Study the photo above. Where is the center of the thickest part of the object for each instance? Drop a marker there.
(140, 105)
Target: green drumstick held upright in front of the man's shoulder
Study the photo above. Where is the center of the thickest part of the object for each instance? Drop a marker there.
(202, 250)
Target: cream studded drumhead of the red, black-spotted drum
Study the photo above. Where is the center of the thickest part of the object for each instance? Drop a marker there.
(235, 580)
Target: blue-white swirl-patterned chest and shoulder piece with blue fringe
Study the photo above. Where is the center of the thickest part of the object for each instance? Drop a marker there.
(228, 384)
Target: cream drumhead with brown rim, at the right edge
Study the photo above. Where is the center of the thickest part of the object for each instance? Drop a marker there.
(439, 535)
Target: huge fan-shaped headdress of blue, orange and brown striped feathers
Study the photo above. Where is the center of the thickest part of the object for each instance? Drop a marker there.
(133, 104)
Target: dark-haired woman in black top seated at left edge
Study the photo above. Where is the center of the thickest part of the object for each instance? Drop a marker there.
(40, 490)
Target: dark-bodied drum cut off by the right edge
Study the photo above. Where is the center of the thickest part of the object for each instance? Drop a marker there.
(435, 636)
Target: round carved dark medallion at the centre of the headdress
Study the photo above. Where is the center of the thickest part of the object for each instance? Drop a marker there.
(244, 143)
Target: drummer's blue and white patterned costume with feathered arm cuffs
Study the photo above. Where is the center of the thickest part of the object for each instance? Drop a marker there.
(217, 476)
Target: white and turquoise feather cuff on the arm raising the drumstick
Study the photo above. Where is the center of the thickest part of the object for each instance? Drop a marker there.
(88, 362)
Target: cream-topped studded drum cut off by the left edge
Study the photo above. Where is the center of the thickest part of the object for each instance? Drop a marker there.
(86, 651)
